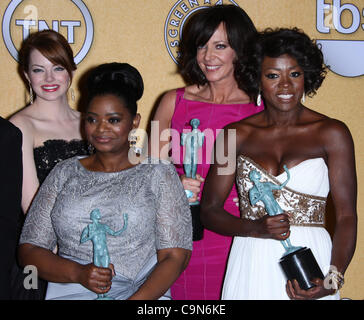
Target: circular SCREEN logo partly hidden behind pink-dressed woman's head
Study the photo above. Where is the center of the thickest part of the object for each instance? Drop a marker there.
(176, 18)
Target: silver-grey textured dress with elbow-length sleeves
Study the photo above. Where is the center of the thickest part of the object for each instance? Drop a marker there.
(152, 196)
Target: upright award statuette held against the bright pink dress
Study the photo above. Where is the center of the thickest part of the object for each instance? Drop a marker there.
(193, 141)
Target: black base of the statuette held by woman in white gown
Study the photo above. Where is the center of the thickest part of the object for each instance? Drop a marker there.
(302, 266)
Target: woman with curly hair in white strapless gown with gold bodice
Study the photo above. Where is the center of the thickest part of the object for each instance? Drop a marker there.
(284, 66)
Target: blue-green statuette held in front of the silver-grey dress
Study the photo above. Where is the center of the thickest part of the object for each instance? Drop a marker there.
(96, 232)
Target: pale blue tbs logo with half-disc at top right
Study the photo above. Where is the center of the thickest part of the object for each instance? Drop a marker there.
(345, 57)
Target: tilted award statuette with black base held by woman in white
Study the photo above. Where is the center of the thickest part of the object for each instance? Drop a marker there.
(297, 262)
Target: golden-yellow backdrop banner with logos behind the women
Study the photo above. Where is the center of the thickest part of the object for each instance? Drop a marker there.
(146, 33)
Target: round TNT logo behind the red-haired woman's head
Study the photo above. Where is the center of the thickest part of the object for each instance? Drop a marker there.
(69, 17)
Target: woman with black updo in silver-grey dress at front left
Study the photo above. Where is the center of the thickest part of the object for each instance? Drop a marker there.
(154, 248)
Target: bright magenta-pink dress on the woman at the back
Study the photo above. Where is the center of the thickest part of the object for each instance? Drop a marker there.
(203, 278)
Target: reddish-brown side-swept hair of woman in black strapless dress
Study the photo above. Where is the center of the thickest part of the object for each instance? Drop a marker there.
(52, 45)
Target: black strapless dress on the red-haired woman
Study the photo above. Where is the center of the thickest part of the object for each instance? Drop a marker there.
(45, 158)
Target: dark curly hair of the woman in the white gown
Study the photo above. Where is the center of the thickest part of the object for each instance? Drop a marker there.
(274, 43)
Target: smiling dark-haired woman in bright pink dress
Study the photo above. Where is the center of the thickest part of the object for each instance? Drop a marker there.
(212, 45)
